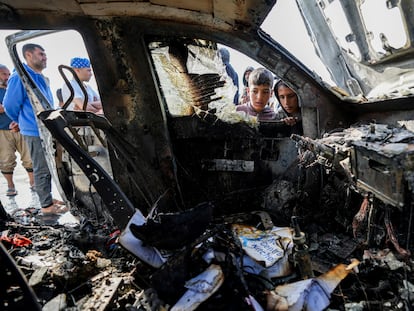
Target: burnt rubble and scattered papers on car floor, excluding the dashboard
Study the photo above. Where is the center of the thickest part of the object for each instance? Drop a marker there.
(242, 262)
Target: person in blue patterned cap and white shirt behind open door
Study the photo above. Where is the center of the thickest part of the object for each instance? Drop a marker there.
(82, 68)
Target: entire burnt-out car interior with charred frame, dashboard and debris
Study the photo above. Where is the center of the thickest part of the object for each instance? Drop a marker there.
(184, 203)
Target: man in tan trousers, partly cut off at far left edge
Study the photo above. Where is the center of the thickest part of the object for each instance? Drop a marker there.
(11, 141)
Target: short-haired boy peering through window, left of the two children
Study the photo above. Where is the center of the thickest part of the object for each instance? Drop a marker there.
(260, 90)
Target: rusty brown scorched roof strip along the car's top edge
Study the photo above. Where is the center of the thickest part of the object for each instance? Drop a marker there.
(249, 13)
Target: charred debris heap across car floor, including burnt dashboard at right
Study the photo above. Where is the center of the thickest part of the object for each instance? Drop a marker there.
(341, 252)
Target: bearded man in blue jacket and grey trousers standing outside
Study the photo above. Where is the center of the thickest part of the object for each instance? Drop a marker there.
(18, 107)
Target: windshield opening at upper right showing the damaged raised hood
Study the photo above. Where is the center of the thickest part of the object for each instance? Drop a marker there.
(363, 55)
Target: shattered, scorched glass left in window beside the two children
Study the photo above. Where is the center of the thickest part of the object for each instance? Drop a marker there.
(193, 79)
